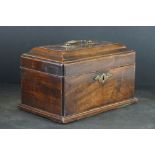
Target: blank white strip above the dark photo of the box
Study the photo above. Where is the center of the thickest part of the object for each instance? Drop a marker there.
(77, 12)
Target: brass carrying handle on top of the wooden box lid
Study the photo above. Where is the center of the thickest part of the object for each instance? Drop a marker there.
(73, 42)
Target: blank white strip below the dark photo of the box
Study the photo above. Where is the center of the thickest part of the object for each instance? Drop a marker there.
(77, 142)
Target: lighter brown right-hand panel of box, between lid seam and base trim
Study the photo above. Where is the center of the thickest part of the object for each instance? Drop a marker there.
(86, 91)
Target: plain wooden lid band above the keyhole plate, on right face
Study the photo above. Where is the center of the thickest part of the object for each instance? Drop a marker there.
(99, 64)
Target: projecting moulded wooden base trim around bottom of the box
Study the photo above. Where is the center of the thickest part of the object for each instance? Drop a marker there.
(70, 118)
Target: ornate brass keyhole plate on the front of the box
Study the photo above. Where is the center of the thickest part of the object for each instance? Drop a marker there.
(102, 77)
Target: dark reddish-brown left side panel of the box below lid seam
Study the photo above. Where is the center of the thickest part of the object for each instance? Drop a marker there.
(41, 90)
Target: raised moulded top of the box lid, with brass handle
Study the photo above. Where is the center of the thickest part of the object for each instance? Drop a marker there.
(76, 50)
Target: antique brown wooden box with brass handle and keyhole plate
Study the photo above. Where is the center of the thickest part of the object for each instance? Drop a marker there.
(77, 79)
